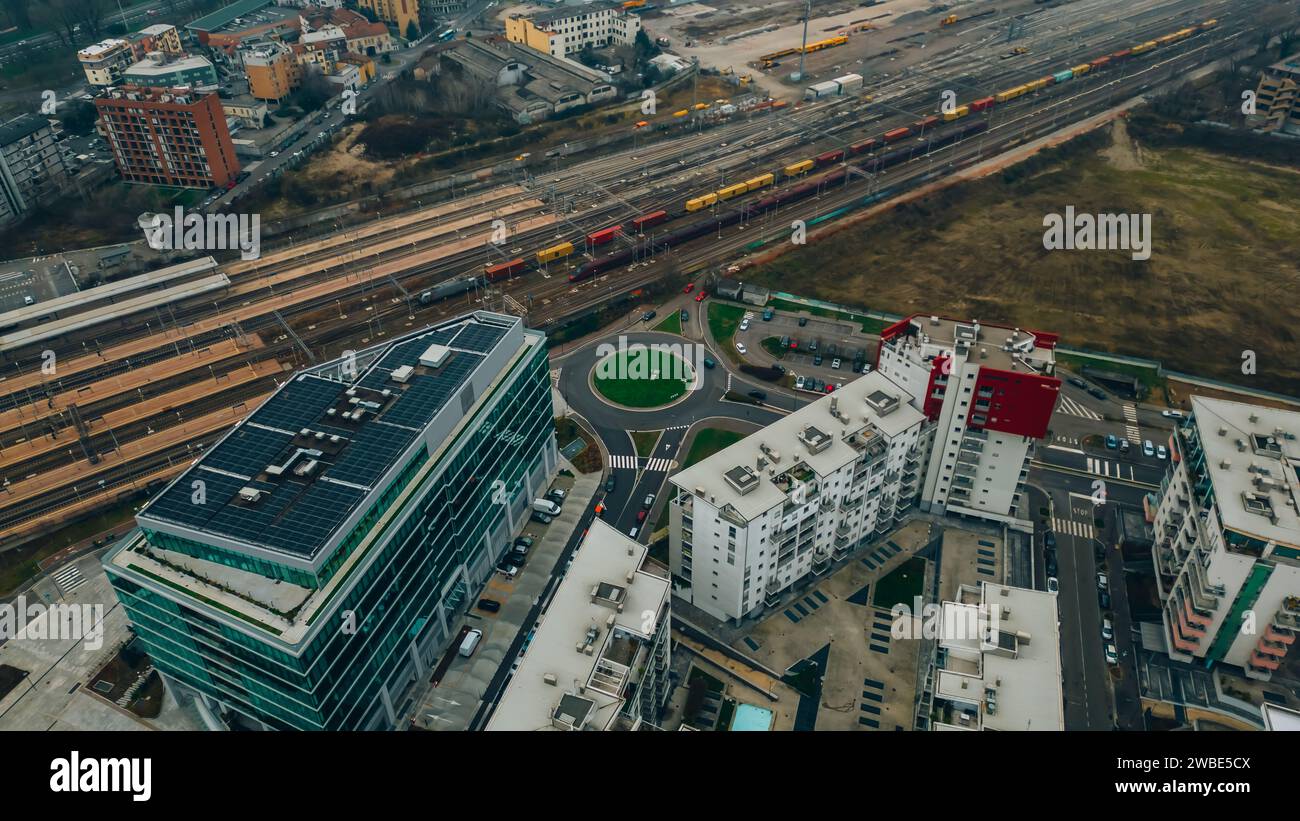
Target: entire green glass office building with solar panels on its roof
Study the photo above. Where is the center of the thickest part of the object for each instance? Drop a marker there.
(310, 568)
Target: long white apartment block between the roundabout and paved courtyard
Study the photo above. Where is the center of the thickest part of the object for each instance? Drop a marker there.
(752, 520)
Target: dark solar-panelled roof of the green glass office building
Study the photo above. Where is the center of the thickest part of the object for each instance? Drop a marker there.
(292, 477)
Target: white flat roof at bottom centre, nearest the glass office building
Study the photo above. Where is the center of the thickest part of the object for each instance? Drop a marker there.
(579, 662)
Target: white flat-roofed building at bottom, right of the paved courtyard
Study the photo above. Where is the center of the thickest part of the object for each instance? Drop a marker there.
(1002, 662)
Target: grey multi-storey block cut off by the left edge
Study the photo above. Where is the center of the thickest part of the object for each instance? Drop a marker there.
(32, 170)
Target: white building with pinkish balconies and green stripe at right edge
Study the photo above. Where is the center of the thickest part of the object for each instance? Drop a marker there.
(1228, 537)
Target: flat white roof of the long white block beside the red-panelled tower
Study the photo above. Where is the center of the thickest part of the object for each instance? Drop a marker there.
(824, 436)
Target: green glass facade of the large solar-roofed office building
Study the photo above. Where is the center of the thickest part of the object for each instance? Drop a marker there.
(402, 601)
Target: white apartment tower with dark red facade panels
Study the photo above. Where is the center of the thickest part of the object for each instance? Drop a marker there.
(990, 393)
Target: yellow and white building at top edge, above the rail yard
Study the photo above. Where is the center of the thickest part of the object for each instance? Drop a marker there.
(566, 31)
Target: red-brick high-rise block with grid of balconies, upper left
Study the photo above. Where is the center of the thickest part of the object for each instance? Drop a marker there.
(168, 137)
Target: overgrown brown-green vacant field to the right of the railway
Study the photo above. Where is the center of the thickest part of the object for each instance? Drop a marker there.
(1223, 277)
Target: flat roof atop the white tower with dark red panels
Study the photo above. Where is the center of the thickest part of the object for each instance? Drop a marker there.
(993, 346)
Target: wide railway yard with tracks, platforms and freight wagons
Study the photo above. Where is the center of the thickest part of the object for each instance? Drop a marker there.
(105, 398)
